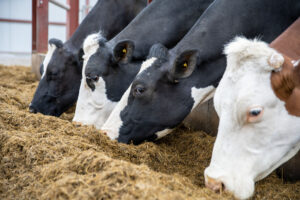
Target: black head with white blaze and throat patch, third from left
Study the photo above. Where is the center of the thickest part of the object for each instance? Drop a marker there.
(160, 97)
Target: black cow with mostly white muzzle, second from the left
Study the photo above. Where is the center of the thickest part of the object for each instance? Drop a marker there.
(110, 66)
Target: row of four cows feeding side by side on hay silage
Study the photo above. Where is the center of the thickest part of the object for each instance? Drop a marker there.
(138, 71)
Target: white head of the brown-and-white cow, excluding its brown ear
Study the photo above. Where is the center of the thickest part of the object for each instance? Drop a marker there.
(256, 133)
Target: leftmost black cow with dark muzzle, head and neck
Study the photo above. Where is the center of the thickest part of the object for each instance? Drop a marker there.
(61, 69)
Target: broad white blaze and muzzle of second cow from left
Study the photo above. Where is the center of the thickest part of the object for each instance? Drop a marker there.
(93, 107)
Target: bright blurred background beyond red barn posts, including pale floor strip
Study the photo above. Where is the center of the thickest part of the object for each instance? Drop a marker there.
(16, 28)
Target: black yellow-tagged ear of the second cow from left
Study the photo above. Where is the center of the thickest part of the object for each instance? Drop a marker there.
(123, 51)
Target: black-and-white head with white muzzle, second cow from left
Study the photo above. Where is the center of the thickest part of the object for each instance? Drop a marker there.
(107, 73)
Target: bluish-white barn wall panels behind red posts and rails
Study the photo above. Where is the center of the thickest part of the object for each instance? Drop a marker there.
(16, 37)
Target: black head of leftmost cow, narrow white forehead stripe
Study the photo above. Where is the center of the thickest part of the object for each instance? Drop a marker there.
(59, 84)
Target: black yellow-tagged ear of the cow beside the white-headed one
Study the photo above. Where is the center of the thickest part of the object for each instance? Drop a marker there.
(184, 64)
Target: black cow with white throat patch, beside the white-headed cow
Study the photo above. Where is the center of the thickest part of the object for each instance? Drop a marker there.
(166, 92)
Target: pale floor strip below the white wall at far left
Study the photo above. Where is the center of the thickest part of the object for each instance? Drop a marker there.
(9, 59)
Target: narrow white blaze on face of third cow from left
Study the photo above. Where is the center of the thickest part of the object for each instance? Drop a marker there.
(113, 123)
